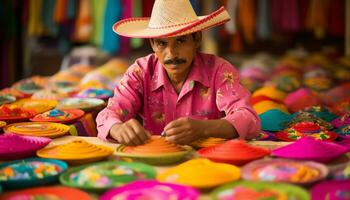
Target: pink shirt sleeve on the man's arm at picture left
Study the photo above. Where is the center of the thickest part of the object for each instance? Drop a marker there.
(125, 103)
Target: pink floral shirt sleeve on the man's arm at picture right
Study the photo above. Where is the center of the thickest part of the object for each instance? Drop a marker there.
(233, 99)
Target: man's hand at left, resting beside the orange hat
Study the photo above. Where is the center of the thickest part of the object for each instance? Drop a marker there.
(130, 132)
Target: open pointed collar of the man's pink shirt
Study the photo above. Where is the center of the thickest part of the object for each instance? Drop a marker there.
(198, 73)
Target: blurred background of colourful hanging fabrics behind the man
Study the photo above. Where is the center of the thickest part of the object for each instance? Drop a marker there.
(42, 37)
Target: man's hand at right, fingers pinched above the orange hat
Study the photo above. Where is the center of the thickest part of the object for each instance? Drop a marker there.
(185, 130)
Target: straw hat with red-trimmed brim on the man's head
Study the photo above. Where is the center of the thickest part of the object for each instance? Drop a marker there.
(170, 18)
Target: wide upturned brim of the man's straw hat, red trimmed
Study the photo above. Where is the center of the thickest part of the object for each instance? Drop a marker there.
(138, 27)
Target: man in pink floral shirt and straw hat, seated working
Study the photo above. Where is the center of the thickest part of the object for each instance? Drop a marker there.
(177, 91)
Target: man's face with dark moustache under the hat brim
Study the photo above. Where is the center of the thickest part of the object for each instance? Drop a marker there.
(176, 53)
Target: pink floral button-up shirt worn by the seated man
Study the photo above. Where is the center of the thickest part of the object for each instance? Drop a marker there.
(211, 91)
